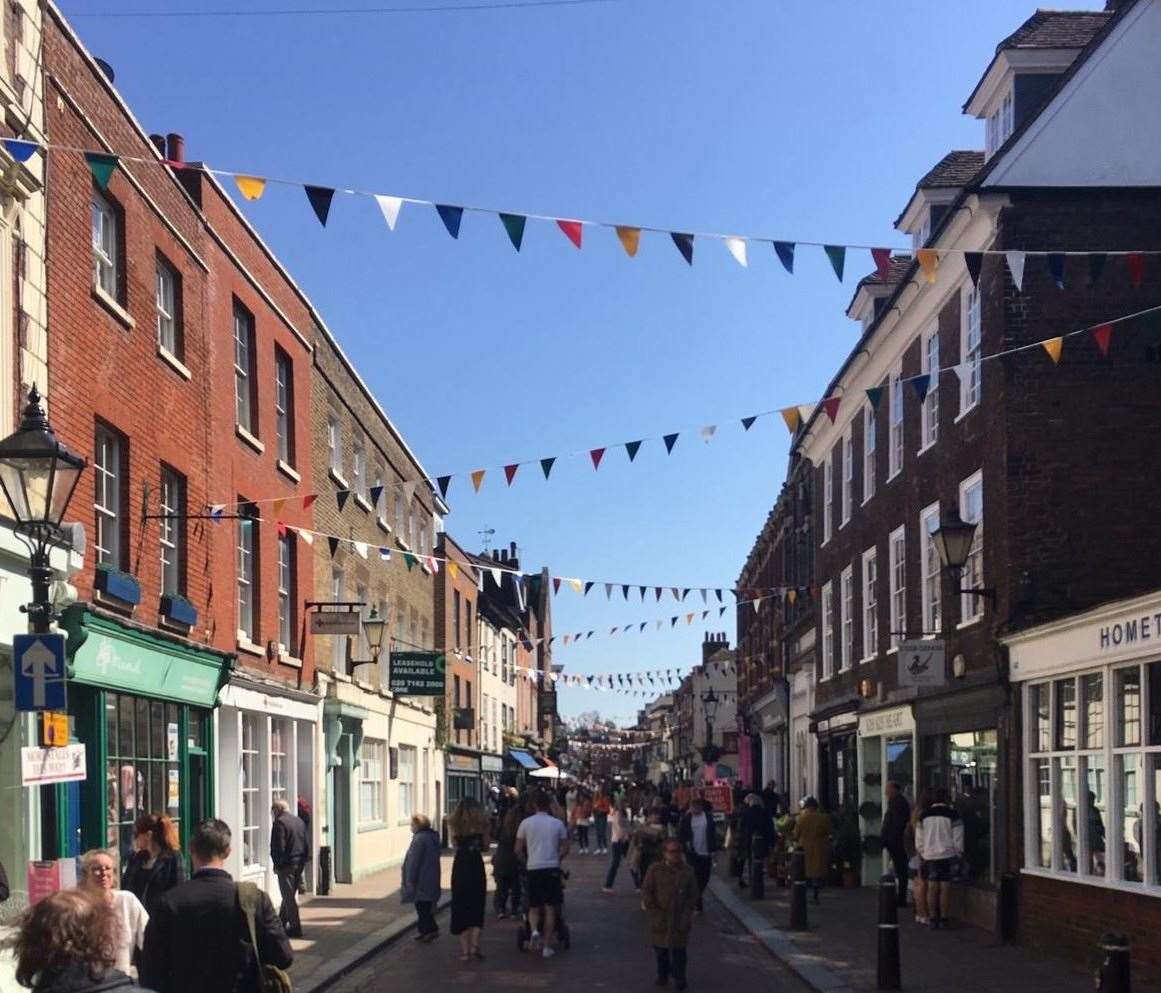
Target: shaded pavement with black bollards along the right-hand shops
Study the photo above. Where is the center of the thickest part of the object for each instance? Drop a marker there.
(839, 953)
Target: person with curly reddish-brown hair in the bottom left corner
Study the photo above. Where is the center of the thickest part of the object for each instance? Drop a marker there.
(68, 944)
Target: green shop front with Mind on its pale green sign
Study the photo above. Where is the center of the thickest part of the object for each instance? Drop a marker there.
(142, 703)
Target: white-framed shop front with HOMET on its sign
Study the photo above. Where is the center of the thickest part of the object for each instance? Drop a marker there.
(1087, 696)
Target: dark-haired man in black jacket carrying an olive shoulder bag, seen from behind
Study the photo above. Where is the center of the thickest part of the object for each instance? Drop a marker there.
(198, 940)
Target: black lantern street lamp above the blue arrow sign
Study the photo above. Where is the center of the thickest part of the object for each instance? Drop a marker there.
(39, 477)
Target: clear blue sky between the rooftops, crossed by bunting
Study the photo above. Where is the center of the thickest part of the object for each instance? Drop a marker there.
(789, 120)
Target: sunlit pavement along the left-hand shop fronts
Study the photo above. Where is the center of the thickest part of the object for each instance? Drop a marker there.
(351, 925)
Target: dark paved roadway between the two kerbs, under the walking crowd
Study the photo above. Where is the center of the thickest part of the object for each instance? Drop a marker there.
(609, 952)
